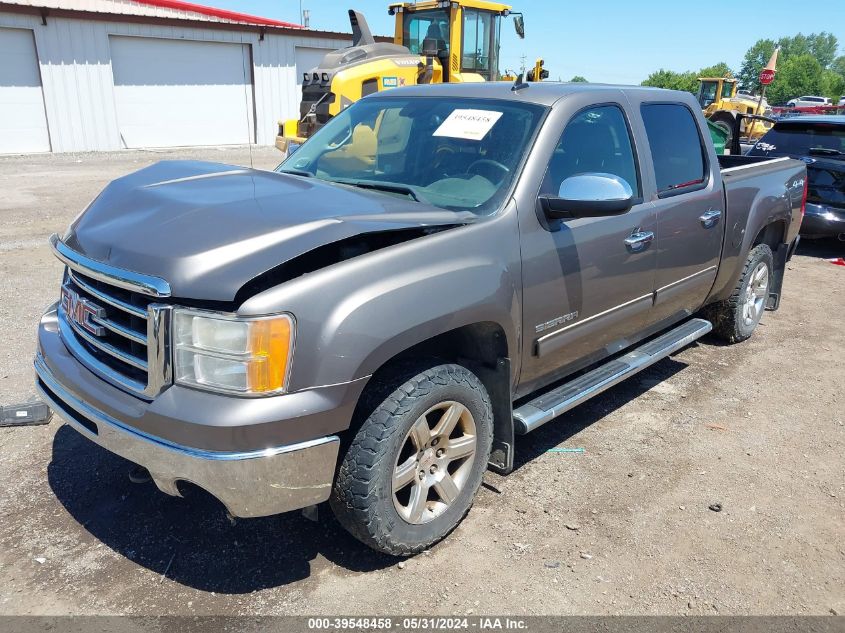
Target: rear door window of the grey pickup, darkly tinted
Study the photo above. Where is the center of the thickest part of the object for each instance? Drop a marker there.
(675, 146)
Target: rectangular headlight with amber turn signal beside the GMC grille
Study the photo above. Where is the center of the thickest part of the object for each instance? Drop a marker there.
(218, 352)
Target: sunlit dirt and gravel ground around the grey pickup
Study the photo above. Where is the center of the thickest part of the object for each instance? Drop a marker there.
(622, 527)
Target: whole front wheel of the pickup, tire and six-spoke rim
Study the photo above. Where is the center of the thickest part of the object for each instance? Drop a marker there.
(413, 468)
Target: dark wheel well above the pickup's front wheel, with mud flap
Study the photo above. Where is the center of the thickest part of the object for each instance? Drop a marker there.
(480, 347)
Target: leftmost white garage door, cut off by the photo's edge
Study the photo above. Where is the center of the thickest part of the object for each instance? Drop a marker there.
(23, 125)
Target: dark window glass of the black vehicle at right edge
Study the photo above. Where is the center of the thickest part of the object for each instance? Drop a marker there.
(798, 139)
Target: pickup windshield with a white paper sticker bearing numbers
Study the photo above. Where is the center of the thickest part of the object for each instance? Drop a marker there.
(454, 153)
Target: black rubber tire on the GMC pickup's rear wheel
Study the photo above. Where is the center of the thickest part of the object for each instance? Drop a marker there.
(728, 317)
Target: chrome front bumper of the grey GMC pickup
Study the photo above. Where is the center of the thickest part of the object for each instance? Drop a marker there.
(250, 483)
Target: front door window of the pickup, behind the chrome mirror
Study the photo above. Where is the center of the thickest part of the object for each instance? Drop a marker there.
(596, 140)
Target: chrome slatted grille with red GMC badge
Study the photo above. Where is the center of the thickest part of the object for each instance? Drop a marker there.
(114, 325)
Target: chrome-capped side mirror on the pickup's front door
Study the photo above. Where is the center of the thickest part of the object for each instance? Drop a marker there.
(589, 196)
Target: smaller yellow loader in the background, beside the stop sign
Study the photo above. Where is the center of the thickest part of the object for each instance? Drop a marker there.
(720, 103)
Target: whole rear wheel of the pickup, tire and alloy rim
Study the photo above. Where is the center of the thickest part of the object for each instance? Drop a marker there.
(736, 318)
